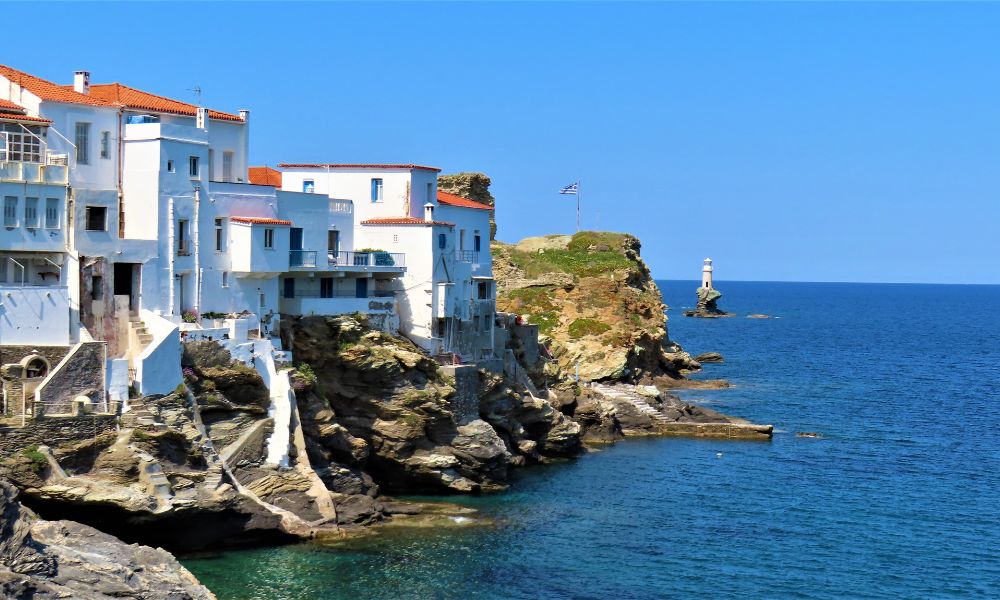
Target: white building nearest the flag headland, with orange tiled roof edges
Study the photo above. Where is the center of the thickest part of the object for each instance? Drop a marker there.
(446, 300)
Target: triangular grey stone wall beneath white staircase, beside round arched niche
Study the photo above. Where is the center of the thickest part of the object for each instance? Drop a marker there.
(81, 375)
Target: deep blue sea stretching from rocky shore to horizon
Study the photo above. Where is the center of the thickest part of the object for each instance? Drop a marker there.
(899, 498)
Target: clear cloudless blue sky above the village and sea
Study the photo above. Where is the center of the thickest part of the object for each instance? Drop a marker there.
(788, 141)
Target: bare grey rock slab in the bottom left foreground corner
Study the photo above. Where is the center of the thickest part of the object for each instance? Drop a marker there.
(63, 559)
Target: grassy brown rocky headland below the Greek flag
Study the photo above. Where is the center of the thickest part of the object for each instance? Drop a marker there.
(596, 306)
